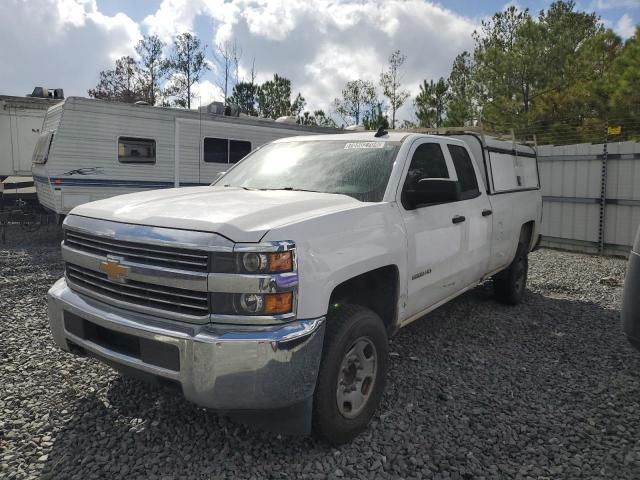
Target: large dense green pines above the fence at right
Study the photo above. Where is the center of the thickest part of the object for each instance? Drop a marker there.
(560, 74)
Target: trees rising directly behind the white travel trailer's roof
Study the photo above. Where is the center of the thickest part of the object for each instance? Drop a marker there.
(169, 81)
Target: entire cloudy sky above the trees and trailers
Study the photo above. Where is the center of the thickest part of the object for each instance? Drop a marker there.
(318, 44)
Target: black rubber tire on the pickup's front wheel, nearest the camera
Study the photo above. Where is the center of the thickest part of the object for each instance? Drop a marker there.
(348, 326)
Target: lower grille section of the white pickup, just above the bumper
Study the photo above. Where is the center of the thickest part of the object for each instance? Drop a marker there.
(159, 297)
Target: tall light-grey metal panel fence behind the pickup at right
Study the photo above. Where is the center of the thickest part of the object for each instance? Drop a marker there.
(591, 196)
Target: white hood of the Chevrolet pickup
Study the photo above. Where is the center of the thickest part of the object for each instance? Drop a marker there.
(238, 214)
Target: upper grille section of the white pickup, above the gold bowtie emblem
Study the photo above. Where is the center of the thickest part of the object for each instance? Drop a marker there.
(154, 255)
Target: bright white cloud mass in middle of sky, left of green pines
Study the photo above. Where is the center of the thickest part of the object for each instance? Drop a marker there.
(321, 45)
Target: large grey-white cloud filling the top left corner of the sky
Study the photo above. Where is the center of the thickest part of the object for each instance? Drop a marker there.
(59, 43)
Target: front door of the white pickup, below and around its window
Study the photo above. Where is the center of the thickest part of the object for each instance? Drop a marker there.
(436, 242)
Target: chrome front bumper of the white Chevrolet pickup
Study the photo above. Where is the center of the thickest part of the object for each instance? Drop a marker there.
(222, 367)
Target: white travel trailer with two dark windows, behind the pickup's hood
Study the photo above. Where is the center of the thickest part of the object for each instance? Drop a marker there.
(92, 149)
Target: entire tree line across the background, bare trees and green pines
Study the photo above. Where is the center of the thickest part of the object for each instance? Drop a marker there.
(531, 73)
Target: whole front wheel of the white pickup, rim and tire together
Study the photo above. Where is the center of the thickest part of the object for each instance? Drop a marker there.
(352, 373)
